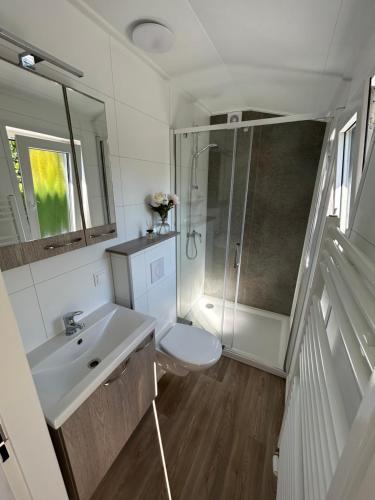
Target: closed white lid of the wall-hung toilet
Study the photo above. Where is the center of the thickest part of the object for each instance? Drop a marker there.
(191, 345)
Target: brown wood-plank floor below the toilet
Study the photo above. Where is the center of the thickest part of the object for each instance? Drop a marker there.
(219, 430)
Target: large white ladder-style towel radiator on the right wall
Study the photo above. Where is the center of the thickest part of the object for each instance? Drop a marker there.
(336, 359)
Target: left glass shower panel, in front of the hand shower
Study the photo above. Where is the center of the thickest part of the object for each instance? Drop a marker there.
(204, 182)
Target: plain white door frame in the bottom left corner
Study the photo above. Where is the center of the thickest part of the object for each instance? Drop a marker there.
(22, 419)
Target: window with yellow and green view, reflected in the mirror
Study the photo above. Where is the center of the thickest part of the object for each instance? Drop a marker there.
(45, 178)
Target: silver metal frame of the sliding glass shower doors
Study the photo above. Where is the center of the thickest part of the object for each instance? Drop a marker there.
(323, 116)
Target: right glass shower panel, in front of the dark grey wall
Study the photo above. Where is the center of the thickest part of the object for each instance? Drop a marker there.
(281, 176)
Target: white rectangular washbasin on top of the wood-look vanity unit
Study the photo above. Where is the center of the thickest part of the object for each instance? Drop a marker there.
(67, 370)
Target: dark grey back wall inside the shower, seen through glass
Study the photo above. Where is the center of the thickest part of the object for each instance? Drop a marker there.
(283, 167)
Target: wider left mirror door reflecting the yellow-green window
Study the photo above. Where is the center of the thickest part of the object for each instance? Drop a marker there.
(38, 191)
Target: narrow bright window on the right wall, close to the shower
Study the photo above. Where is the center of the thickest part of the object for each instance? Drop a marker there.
(341, 192)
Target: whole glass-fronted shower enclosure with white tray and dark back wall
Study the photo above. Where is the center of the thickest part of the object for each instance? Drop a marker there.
(245, 198)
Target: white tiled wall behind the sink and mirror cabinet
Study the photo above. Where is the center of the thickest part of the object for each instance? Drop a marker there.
(141, 107)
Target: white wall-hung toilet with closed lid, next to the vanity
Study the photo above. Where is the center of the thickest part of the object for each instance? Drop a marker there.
(186, 348)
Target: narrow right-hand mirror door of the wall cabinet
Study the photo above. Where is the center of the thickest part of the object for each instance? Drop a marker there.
(90, 135)
